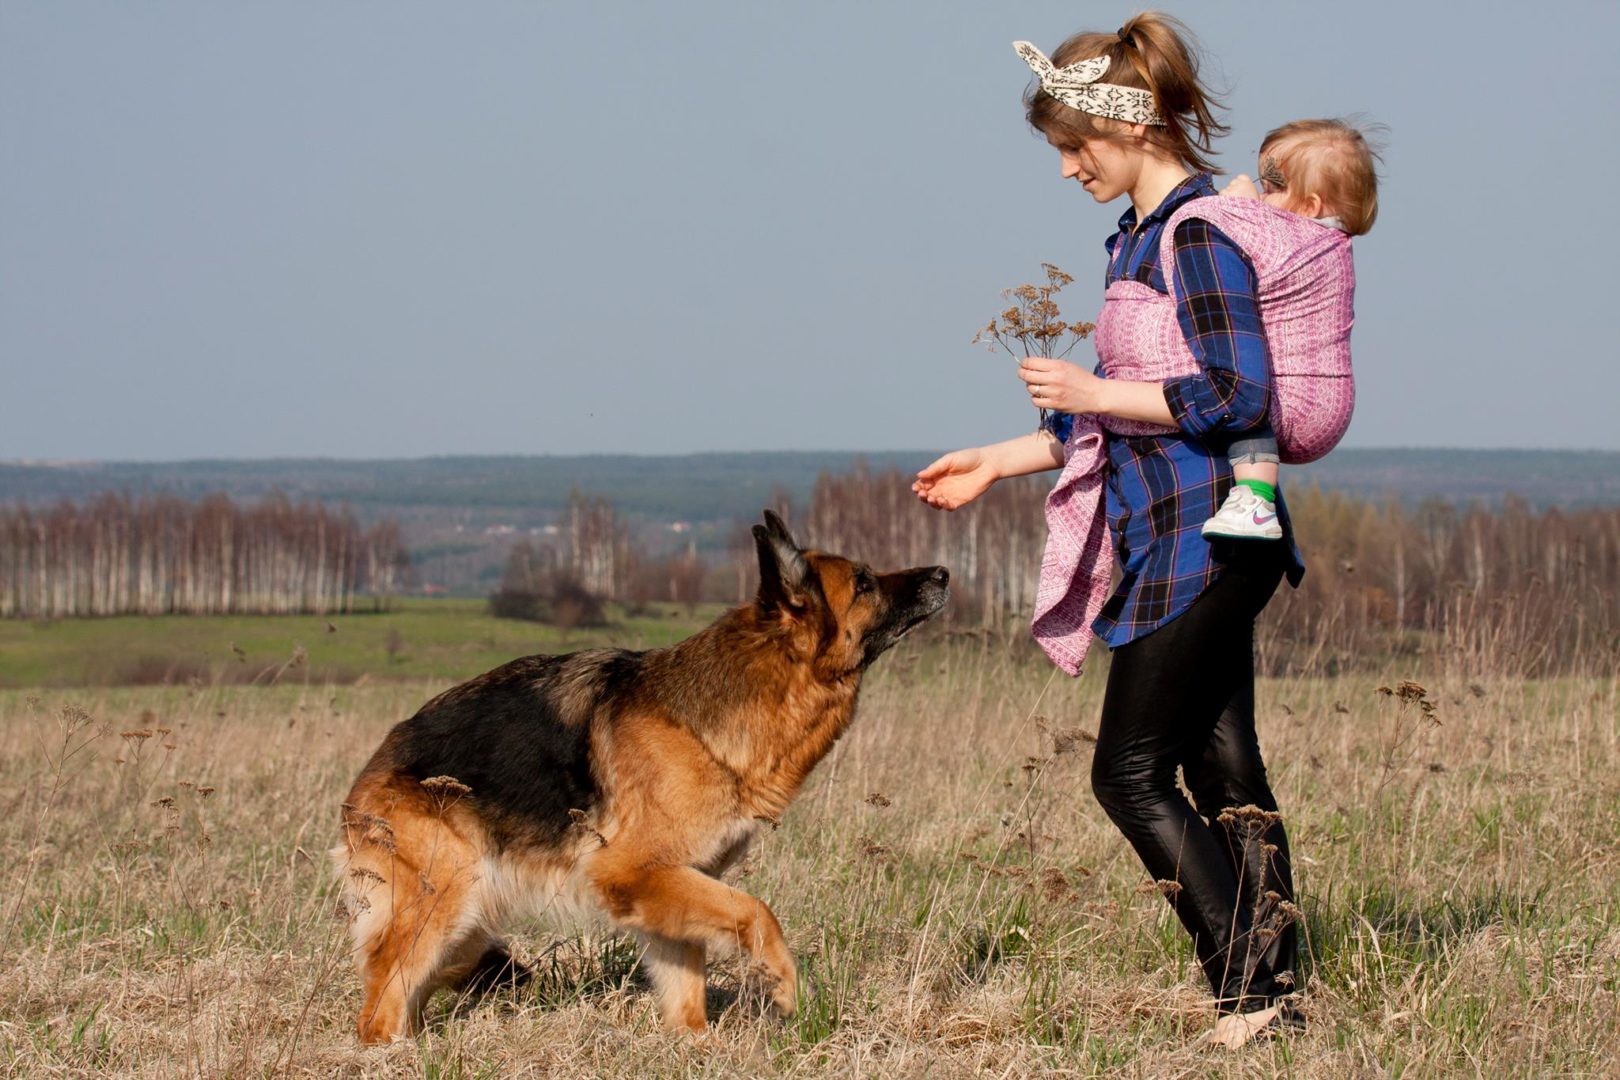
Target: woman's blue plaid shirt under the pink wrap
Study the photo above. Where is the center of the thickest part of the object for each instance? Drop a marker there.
(1164, 488)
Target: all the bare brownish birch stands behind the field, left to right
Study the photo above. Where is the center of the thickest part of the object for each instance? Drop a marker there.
(1506, 587)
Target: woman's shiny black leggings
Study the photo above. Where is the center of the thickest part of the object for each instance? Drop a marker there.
(1183, 697)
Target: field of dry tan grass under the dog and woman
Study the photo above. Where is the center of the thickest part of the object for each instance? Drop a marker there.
(957, 899)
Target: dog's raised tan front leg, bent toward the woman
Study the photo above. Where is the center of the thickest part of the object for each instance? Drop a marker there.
(686, 906)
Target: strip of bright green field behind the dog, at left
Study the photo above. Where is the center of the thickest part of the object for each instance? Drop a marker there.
(419, 639)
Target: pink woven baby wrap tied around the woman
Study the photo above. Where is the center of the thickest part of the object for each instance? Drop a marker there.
(1307, 291)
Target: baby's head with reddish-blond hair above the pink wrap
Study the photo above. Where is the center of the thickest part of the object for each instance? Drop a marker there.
(1323, 169)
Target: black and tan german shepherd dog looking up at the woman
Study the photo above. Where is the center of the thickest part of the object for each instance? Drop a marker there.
(616, 783)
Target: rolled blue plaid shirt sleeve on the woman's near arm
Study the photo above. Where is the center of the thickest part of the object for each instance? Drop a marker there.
(1219, 310)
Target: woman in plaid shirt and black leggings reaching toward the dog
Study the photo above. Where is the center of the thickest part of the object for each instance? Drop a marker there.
(1130, 119)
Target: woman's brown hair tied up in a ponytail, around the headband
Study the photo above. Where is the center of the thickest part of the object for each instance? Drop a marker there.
(1153, 53)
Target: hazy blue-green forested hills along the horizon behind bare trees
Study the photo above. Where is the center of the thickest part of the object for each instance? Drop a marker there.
(463, 519)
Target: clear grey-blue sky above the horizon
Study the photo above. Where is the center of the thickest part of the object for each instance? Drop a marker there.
(399, 229)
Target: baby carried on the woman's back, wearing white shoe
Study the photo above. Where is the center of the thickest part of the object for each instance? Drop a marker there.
(1326, 172)
